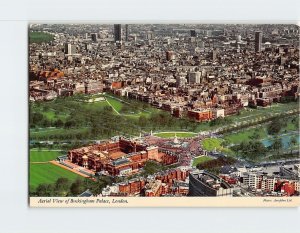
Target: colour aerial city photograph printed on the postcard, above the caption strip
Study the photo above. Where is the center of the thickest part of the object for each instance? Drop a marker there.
(163, 110)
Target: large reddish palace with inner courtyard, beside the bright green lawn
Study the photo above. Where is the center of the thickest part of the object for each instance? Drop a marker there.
(120, 157)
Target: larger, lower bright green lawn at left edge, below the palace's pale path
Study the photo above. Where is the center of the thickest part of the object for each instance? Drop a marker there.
(48, 173)
